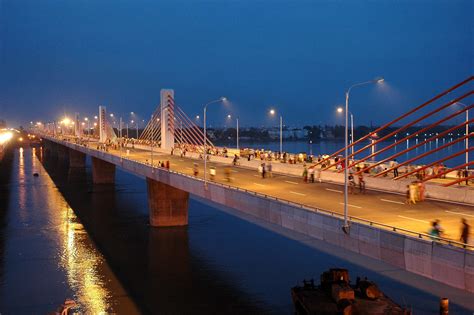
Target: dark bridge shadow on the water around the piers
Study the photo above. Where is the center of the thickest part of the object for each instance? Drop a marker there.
(157, 267)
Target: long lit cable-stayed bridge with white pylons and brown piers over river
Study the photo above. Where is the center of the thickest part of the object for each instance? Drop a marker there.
(382, 225)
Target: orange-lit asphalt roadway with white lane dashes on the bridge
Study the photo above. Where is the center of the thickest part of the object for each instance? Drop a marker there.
(381, 207)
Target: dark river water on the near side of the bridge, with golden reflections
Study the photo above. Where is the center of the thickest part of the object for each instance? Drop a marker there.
(61, 237)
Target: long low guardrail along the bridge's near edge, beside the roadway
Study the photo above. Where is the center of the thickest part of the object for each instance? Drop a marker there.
(419, 235)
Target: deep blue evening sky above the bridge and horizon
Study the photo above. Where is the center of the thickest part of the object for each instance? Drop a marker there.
(300, 56)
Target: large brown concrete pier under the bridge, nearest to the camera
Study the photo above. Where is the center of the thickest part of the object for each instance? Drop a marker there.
(168, 205)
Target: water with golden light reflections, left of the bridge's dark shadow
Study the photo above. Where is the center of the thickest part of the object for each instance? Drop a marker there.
(51, 246)
